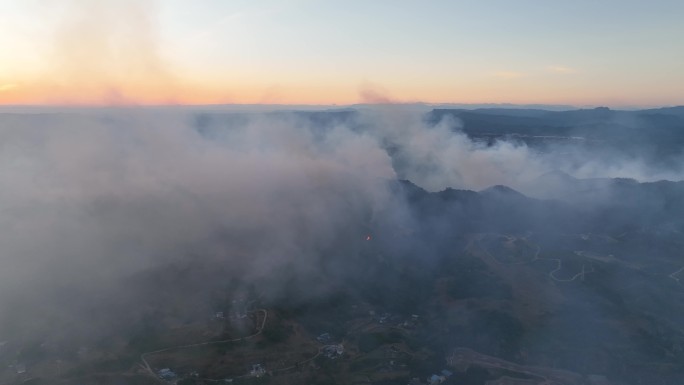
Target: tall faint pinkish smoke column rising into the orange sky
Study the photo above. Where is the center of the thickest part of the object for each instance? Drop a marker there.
(108, 50)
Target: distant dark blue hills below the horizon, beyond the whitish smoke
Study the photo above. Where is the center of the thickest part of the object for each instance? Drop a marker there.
(655, 134)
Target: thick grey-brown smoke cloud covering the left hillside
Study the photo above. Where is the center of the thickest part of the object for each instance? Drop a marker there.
(88, 191)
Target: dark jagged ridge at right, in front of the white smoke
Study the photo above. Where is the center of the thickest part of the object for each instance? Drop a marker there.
(586, 204)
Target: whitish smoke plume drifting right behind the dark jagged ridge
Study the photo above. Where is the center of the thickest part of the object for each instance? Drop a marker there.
(440, 156)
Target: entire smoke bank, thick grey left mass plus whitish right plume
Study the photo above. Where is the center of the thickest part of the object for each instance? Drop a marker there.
(89, 198)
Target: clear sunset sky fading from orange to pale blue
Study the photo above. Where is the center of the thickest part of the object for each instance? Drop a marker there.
(613, 53)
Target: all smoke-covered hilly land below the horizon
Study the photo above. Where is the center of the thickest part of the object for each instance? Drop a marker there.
(367, 245)
